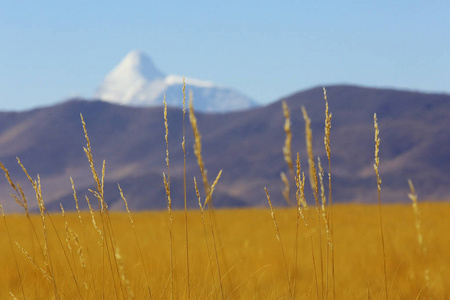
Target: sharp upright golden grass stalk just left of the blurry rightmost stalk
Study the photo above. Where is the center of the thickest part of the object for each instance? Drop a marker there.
(376, 166)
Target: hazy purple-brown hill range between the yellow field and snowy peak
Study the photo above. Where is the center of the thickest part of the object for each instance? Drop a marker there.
(415, 131)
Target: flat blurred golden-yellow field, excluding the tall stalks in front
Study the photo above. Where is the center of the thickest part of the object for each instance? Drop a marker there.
(250, 261)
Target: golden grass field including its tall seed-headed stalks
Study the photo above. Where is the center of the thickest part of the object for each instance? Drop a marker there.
(306, 251)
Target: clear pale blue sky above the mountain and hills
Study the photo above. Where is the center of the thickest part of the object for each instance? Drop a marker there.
(52, 50)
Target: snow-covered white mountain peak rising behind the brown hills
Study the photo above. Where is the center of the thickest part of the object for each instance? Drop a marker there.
(135, 81)
